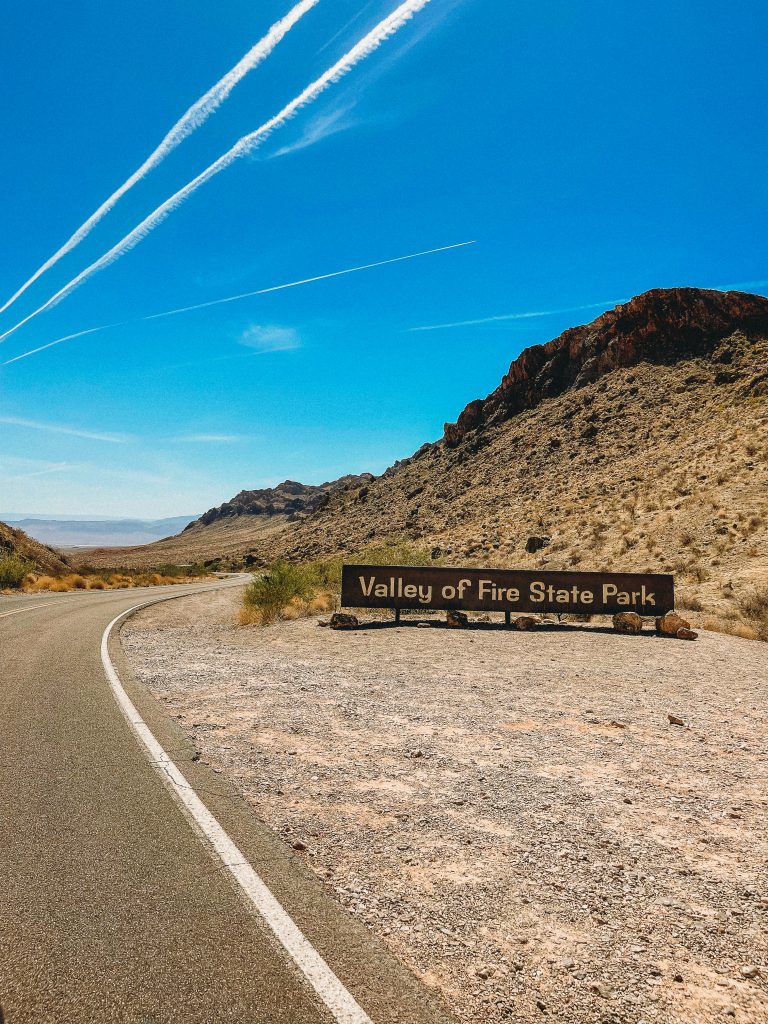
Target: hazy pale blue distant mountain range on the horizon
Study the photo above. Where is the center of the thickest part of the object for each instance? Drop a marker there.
(102, 533)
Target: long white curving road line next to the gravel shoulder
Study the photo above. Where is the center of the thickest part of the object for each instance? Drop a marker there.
(338, 1000)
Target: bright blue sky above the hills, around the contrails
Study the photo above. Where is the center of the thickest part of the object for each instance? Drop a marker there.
(592, 150)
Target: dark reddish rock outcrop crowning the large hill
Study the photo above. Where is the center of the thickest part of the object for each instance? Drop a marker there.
(661, 326)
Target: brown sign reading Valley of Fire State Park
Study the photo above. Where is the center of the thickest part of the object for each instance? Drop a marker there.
(505, 590)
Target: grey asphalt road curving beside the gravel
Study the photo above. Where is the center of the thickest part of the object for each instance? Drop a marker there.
(115, 907)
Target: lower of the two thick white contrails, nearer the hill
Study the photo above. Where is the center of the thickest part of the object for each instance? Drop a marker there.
(242, 148)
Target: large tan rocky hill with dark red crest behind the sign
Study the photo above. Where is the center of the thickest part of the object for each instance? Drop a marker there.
(637, 442)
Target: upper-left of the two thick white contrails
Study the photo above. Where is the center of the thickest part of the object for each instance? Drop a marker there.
(188, 123)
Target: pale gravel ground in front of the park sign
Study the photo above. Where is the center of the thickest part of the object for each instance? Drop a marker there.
(513, 813)
